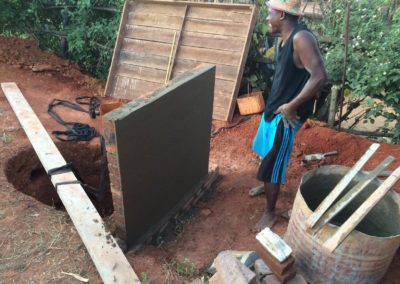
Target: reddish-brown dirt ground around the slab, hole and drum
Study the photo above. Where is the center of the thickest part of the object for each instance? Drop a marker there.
(38, 241)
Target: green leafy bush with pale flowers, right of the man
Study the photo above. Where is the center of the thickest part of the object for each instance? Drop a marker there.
(373, 69)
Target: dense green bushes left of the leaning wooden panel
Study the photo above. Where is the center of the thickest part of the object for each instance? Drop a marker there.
(90, 30)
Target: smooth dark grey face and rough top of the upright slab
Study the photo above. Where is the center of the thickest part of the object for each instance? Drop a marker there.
(163, 144)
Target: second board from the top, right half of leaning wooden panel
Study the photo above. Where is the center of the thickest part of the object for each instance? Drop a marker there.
(215, 27)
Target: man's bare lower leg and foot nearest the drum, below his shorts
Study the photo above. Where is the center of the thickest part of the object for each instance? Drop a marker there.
(269, 217)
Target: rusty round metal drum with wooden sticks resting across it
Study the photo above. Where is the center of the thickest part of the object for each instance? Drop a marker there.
(365, 255)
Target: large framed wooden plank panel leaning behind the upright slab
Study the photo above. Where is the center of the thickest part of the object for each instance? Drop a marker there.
(206, 32)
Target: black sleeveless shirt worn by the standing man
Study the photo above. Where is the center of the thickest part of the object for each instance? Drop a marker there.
(288, 81)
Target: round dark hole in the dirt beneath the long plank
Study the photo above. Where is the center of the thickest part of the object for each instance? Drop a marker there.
(25, 172)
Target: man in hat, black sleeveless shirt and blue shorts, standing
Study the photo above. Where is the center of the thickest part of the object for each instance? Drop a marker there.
(299, 76)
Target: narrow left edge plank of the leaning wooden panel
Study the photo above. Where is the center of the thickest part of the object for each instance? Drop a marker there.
(117, 48)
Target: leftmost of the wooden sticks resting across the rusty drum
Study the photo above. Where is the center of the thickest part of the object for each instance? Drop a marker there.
(344, 182)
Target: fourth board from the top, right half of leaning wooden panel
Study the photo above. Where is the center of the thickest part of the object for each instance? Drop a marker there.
(209, 55)
